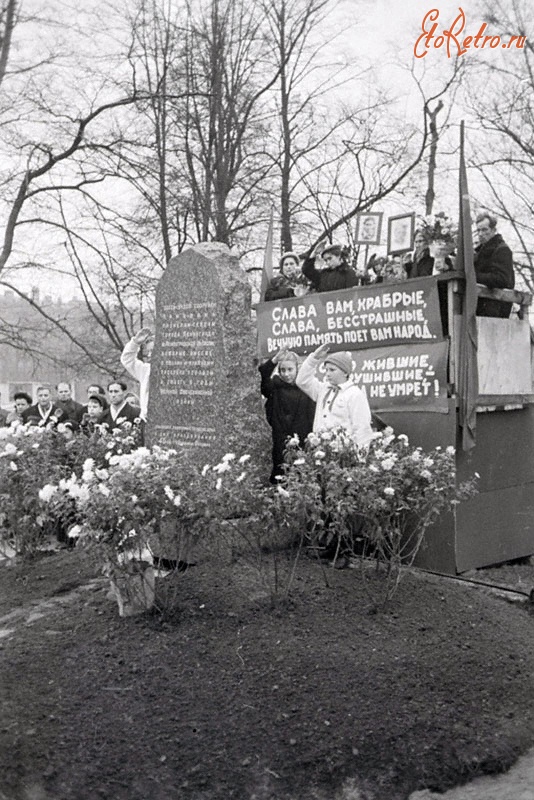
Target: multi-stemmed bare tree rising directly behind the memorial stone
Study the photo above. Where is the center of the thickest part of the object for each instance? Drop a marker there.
(227, 116)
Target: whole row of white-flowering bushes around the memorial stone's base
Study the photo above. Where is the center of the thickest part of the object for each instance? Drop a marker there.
(137, 508)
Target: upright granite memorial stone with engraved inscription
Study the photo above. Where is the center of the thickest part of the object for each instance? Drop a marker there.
(204, 388)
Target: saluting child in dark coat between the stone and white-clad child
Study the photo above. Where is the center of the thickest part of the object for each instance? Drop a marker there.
(289, 411)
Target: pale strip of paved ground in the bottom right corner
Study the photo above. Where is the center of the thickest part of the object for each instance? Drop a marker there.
(517, 784)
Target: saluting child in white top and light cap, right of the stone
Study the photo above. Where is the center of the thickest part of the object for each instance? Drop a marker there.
(340, 403)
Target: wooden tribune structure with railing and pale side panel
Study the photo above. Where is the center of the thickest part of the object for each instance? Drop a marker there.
(498, 524)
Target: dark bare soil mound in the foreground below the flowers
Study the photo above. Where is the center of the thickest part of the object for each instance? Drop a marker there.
(229, 698)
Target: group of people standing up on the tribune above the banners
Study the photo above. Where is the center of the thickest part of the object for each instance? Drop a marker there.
(328, 268)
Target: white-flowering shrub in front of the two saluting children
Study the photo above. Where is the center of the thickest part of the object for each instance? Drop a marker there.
(375, 502)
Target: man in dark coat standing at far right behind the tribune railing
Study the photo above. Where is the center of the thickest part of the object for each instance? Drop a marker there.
(494, 266)
